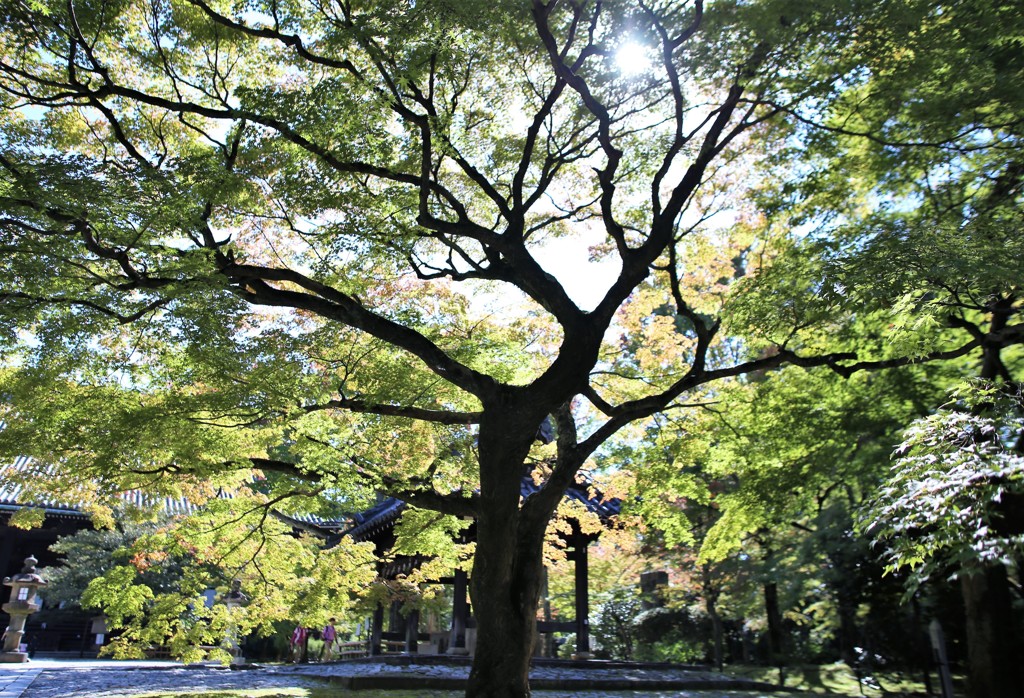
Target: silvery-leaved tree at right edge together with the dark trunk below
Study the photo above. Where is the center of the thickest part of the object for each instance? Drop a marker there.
(954, 505)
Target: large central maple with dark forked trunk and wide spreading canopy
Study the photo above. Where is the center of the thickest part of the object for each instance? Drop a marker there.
(309, 245)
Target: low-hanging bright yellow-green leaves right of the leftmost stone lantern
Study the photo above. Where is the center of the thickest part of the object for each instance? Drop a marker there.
(284, 577)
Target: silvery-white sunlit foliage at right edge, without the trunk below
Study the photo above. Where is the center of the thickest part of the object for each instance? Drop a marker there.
(953, 500)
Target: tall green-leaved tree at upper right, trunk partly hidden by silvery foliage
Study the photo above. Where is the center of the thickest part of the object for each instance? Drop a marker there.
(914, 178)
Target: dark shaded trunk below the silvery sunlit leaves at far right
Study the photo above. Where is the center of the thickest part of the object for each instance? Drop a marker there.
(992, 640)
